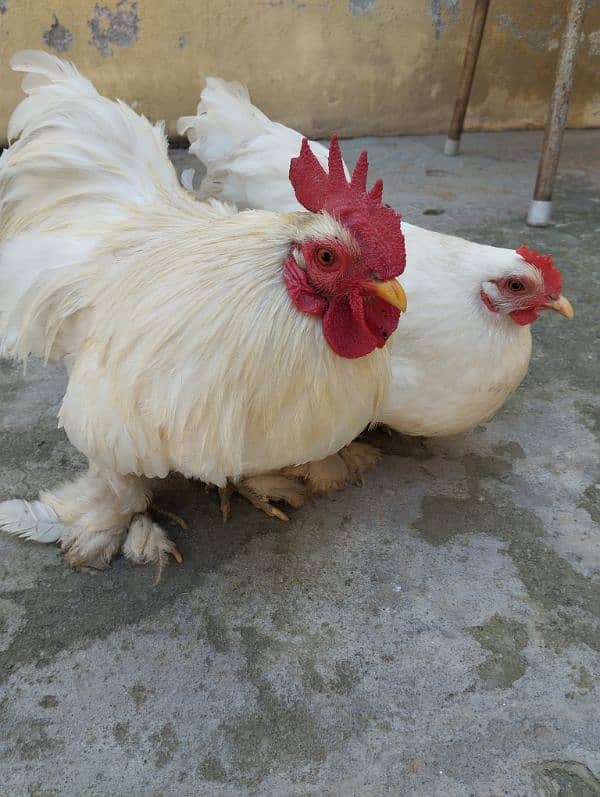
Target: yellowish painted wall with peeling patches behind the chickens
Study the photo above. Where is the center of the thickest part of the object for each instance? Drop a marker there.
(353, 66)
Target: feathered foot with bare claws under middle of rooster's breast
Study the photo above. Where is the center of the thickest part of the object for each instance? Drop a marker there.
(261, 490)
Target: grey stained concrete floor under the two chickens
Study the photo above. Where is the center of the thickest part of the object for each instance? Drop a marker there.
(435, 633)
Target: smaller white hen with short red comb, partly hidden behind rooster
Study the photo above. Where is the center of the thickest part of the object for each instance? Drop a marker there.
(464, 344)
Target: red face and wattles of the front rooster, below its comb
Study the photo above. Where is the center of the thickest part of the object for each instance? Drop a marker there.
(337, 286)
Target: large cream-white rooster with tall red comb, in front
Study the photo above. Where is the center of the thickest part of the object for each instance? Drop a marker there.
(199, 340)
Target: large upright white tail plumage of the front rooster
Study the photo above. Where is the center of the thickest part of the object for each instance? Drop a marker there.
(79, 163)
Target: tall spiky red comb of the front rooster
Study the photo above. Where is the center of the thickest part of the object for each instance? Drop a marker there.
(376, 226)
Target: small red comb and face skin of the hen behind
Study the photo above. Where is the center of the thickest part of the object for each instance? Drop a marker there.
(522, 297)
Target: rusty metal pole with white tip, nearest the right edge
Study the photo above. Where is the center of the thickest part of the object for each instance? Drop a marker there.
(541, 205)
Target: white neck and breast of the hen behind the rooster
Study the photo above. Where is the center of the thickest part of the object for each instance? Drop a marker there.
(454, 363)
